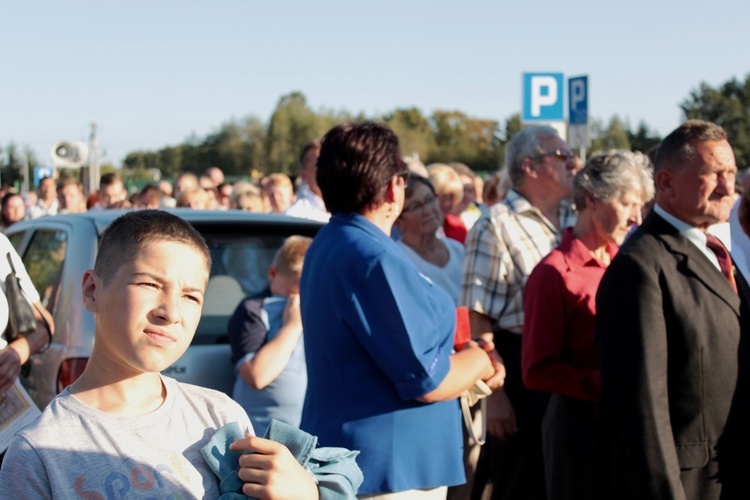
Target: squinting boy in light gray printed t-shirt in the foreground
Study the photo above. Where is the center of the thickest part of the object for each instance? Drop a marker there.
(122, 429)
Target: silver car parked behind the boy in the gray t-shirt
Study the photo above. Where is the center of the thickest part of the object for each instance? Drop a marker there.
(57, 250)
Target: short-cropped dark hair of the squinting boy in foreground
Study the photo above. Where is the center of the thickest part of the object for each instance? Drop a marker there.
(132, 231)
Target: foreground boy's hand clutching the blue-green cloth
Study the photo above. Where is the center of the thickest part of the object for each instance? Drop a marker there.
(272, 473)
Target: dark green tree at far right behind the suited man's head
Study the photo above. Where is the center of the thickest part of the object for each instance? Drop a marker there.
(729, 106)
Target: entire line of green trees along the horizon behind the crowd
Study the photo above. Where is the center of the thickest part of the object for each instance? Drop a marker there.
(248, 146)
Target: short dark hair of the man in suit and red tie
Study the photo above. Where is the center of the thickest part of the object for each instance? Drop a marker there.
(679, 146)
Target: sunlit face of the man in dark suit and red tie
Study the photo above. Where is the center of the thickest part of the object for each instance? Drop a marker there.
(700, 192)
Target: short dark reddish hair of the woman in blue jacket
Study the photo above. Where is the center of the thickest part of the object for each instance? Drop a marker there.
(355, 163)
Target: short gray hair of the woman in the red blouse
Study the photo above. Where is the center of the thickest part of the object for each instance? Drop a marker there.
(612, 173)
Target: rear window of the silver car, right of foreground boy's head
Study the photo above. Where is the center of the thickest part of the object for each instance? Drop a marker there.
(239, 269)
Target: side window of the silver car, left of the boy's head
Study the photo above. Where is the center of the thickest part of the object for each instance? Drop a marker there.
(44, 260)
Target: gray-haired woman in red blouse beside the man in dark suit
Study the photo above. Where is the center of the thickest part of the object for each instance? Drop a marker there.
(558, 353)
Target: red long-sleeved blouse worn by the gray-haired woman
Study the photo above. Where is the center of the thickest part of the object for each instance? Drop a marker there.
(559, 350)
